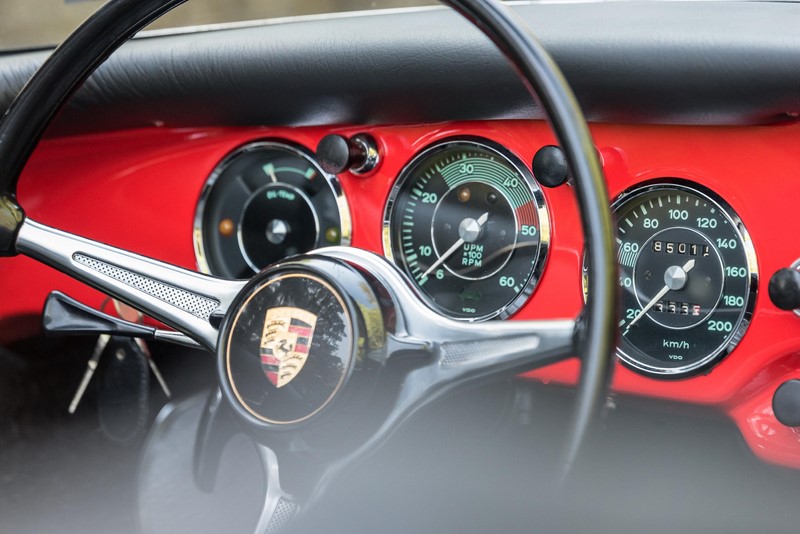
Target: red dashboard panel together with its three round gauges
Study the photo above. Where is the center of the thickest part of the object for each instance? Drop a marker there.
(713, 241)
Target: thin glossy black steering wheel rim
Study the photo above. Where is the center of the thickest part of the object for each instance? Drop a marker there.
(73, 62)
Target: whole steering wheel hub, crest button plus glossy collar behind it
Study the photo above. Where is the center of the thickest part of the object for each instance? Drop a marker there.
(293, 338)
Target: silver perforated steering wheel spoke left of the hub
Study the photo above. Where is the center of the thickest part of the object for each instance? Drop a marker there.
(181, 298)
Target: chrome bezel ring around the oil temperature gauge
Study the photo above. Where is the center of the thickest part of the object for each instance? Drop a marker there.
(198, 230)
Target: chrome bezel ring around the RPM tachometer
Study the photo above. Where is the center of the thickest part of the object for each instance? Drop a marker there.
(509, 158)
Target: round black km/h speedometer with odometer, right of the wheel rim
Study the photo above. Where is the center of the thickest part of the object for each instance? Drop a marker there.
(688, 276)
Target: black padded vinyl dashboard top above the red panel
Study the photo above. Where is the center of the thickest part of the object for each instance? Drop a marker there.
(632, 62)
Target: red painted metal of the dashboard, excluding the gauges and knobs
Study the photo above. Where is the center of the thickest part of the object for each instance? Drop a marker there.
(138, 190)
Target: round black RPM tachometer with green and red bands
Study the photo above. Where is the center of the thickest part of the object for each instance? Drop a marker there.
(468, 225)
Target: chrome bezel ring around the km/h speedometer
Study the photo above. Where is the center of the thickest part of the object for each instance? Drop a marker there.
(739, 329)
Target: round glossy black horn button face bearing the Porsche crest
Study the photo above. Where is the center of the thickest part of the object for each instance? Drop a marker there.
(292, 319)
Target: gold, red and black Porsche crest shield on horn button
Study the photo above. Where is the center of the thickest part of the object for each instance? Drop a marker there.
(285, 342)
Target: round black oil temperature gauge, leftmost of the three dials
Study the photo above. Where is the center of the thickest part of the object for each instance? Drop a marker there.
(264, 202)
